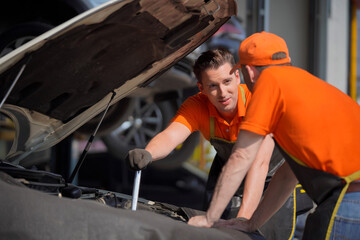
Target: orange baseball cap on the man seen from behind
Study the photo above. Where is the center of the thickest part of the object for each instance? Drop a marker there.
(259, 50)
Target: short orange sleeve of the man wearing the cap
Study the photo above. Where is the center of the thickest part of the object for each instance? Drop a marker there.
(266, 106)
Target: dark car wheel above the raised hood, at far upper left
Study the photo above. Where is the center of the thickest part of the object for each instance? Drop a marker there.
(20, 34)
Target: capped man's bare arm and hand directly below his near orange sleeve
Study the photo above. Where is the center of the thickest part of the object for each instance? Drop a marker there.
(232, 174)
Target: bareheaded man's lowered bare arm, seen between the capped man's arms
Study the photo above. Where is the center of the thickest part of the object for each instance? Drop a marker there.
(255, 179)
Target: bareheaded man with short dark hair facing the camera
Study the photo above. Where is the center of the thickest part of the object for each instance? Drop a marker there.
(217, 112)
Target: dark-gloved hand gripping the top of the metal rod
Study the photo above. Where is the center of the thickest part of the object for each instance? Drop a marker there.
(138, 159)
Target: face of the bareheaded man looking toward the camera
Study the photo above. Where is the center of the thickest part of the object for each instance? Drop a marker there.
(221, 88)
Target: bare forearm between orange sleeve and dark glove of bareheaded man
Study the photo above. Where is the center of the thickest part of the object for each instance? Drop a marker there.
(167, 140)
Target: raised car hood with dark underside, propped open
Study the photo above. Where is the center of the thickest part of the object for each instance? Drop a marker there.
(69, 74)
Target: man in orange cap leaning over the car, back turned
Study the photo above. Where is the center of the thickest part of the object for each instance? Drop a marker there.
(317, 128)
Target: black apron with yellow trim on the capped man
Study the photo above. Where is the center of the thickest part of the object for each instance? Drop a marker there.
(326, 190)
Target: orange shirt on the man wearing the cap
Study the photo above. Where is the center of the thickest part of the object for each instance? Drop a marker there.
(310, 119)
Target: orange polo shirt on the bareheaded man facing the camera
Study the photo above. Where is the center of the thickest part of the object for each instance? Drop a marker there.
(195, 112)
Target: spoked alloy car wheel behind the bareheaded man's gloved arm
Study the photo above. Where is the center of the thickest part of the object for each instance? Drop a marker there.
(148, 119)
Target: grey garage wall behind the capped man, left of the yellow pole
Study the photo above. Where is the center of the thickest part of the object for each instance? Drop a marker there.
(317, 34)
